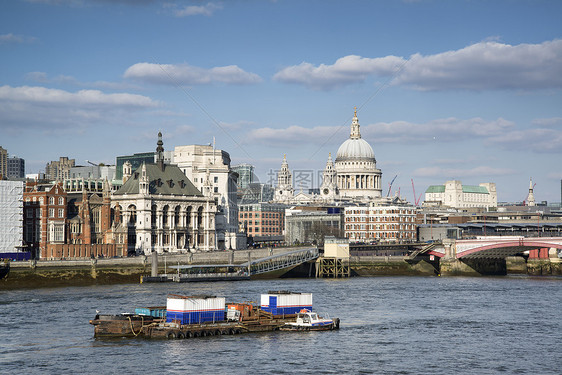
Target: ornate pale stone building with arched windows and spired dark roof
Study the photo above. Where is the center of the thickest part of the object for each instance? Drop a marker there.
(164, 211)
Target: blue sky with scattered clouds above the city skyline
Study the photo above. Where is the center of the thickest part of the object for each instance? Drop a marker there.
(468, 90)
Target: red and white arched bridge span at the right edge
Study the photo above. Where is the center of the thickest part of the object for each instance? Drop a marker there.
(491, 247)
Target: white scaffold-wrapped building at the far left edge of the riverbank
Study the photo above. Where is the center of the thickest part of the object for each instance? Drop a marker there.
(11, 216)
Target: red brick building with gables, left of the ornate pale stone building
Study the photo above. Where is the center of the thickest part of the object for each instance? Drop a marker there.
(79, 224)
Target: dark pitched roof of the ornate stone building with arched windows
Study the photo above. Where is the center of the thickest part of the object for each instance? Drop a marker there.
(170, 181)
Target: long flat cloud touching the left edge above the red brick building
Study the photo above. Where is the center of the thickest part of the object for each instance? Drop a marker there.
(48, 109)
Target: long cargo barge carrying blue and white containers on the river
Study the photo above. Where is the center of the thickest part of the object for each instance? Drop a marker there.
(199, 316)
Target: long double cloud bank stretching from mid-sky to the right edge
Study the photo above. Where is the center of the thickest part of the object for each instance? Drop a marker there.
(488, 65)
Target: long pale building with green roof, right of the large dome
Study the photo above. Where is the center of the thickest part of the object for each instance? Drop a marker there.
(456, 195)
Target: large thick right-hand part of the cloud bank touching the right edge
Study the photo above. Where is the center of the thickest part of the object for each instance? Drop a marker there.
(487, 65)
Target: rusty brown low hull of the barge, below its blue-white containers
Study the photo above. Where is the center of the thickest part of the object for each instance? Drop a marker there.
(147, 327)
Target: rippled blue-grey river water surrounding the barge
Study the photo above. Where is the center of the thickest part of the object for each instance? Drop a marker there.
(390, 325)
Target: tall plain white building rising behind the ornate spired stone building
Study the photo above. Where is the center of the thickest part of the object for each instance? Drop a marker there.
(201, 163)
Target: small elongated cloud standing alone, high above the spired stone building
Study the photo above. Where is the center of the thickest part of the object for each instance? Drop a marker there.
(169, 74)
